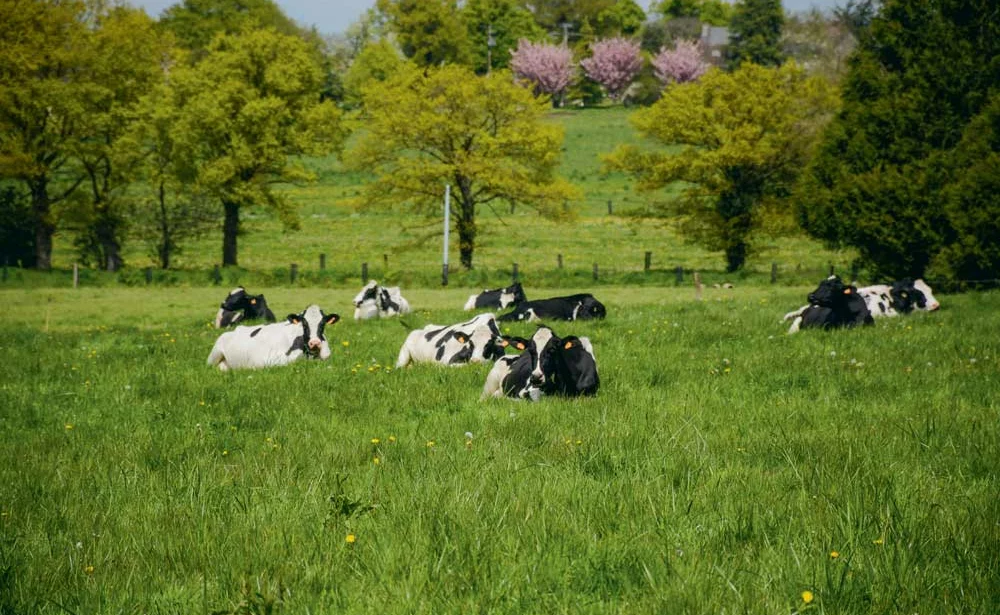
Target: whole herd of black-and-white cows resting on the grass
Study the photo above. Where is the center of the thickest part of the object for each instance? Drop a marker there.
(546, 363)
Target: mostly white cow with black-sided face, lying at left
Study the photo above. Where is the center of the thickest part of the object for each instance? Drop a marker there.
(281, 343)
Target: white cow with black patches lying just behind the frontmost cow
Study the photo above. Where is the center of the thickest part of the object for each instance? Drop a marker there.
(474, 341)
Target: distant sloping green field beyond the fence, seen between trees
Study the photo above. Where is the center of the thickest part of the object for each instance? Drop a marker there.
(406, 247)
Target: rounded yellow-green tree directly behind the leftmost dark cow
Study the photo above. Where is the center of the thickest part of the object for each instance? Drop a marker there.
(244, 115)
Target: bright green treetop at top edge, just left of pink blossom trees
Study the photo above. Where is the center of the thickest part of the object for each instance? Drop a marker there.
(508, 21)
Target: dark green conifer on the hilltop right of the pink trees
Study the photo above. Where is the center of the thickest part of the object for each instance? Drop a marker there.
(755, 34)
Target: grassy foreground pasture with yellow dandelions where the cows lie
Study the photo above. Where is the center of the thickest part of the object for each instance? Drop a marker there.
(724, 466)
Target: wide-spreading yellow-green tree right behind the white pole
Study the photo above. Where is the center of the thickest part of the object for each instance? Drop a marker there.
(485, 136)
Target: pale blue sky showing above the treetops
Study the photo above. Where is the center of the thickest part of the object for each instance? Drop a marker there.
(332, 16)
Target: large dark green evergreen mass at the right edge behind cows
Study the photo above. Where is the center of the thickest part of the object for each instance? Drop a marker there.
(887, 178)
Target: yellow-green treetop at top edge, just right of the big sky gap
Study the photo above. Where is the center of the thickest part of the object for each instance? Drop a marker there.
(429, 32)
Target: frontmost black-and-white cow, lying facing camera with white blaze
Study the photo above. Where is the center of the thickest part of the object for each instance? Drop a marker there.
(549, 365)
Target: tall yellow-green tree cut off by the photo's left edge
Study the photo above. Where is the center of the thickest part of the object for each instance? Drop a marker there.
(45, 55)
